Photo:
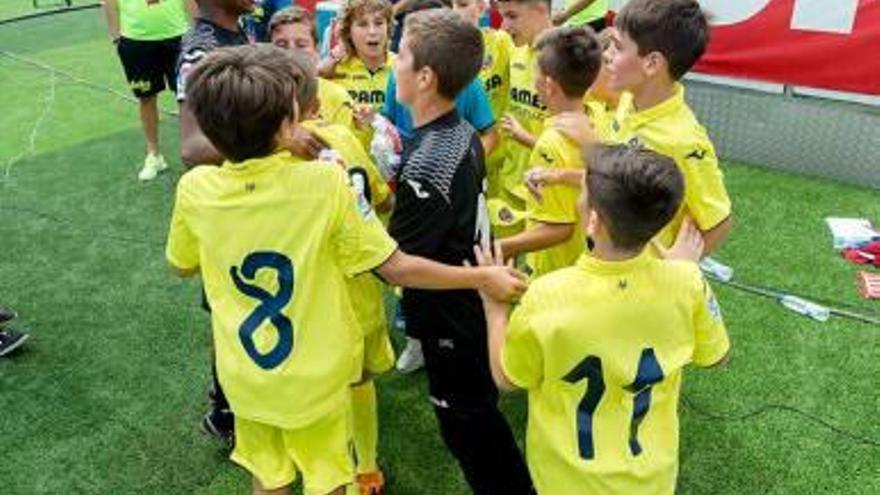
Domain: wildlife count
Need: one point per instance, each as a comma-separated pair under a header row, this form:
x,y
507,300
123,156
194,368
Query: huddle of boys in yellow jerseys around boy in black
x,y
562,260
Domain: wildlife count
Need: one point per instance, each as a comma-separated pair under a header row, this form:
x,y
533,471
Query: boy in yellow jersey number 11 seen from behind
x,y
601,346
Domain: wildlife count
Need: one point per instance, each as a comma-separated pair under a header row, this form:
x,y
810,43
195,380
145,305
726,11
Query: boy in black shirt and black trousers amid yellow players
x,y
440,214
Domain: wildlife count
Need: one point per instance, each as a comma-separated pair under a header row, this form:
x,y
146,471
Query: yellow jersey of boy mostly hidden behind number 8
x,y
365,290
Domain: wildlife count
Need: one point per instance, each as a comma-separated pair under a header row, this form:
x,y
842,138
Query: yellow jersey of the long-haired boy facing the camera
x,y
365,87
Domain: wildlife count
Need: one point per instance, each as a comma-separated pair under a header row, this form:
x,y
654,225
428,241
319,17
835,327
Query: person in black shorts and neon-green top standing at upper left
x,y
147,37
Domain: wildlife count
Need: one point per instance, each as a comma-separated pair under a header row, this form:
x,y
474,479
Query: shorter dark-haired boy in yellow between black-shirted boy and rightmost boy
x,y
568,61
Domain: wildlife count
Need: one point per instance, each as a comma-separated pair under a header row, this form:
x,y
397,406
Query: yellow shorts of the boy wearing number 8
x,y
320,451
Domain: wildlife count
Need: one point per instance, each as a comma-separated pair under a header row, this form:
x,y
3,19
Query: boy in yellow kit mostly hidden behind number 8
x,y
365,291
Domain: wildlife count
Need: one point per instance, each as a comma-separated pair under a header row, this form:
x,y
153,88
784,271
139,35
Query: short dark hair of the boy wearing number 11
x,y
635,192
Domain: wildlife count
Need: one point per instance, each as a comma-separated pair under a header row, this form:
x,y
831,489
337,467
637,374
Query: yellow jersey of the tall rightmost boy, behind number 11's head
x,y
671,129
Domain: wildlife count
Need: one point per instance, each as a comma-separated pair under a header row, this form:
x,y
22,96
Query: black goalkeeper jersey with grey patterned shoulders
x,y
440,214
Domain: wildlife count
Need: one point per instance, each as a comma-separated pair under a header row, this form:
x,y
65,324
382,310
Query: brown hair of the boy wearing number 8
x,y
241,95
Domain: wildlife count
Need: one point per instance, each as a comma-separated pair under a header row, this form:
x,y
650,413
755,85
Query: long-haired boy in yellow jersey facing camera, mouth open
x,y
361,63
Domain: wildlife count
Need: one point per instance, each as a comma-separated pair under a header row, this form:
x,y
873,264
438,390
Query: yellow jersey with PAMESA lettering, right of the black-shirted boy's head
x,y
527,107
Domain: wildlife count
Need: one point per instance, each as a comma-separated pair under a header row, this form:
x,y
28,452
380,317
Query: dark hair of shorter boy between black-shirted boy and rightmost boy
x,y
572,56
